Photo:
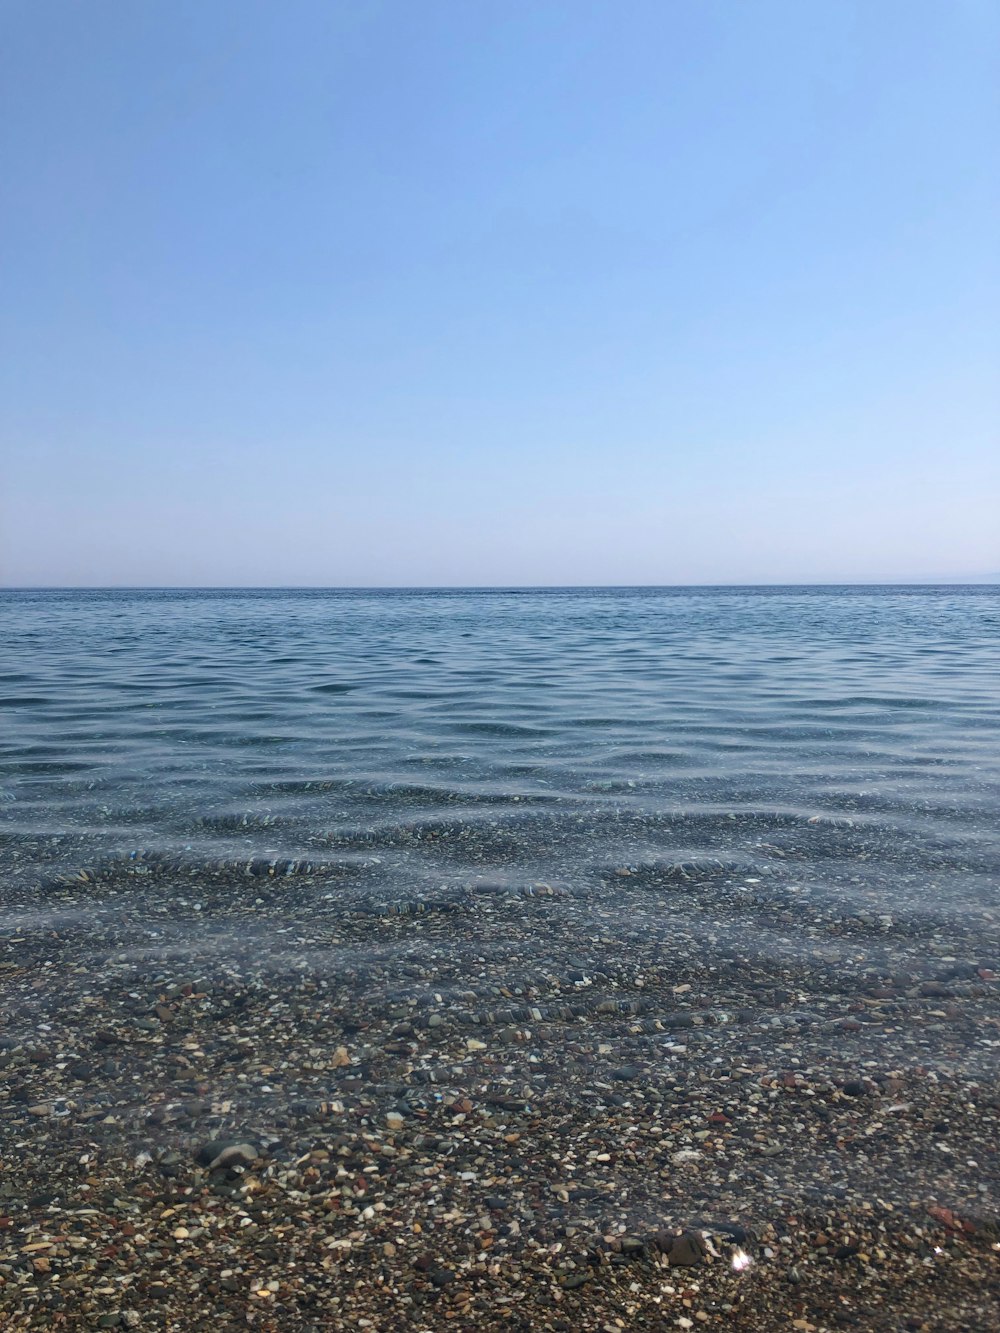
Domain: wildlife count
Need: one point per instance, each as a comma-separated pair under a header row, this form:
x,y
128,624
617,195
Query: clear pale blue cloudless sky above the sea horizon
x,y
499,291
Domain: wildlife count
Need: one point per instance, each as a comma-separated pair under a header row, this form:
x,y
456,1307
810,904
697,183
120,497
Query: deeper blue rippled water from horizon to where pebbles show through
x,y
423,742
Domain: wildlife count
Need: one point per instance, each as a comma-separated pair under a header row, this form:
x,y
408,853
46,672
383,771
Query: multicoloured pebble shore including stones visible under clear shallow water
x,y
241,1096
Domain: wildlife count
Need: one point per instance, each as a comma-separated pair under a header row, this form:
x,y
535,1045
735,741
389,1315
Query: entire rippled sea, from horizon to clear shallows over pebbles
x,y
585,862
